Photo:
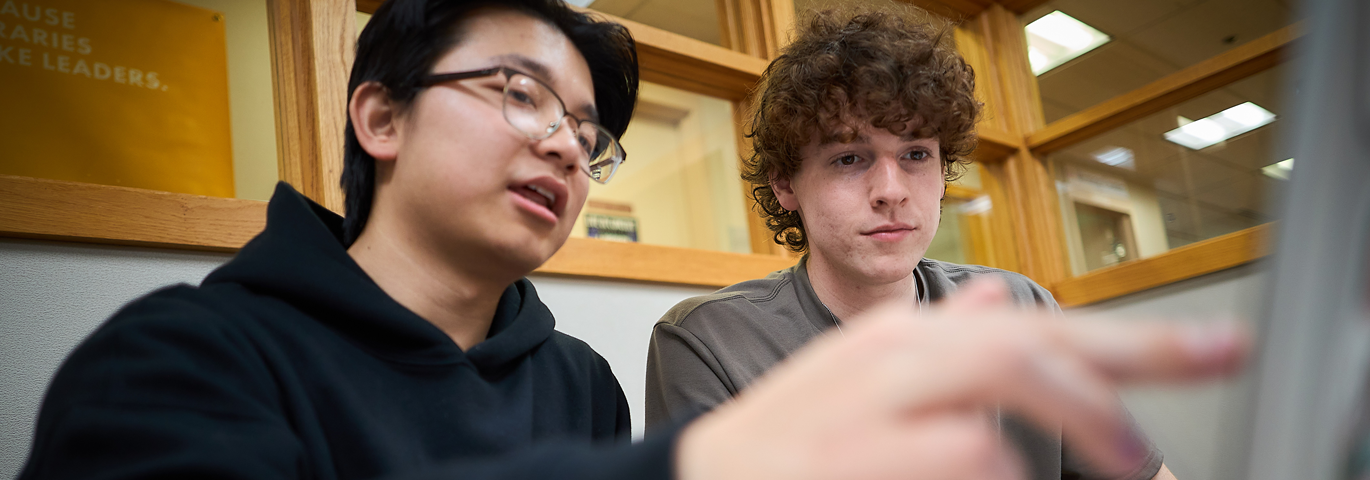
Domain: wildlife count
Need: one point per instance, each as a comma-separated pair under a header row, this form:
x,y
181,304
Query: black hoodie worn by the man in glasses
x,y
290,363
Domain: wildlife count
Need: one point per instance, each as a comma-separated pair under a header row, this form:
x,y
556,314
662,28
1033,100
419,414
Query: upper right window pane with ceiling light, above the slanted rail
x,y
1150,39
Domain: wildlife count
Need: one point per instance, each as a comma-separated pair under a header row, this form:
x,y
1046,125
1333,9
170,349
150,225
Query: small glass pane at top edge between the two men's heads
x,y
695,20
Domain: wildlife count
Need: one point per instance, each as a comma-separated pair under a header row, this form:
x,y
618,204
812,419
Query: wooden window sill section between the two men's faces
x,y
594,259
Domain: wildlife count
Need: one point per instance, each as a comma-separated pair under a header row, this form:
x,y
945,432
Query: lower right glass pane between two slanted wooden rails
x,y
1139,191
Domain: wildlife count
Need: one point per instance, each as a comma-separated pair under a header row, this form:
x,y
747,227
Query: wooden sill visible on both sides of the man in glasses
x,y
75,212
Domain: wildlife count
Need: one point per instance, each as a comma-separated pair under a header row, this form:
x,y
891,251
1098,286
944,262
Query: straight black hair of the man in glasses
x,y
406,39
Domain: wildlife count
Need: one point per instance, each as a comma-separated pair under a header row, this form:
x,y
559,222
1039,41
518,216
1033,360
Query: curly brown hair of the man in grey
x,y
895,68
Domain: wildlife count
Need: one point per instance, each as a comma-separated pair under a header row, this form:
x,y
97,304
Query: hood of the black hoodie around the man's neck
x,y
299,259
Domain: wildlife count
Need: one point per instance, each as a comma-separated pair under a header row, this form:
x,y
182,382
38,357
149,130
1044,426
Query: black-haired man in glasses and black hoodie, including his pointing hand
x,y
403,342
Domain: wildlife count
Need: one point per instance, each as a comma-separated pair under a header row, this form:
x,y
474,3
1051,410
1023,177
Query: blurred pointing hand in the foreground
x,y
904,396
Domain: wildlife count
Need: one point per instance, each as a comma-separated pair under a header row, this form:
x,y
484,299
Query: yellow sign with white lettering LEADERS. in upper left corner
x,y
116,93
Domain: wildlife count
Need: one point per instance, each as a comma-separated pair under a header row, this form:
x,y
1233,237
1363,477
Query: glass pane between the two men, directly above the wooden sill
x,y
680,184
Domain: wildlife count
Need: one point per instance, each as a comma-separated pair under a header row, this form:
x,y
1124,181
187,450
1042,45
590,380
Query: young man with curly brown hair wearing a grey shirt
x,y
860,127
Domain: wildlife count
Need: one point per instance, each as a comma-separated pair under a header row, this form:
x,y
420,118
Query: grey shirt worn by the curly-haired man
x,y
709,349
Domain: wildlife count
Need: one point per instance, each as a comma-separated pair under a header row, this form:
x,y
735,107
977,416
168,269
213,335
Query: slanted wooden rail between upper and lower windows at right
x,y
1238,64
